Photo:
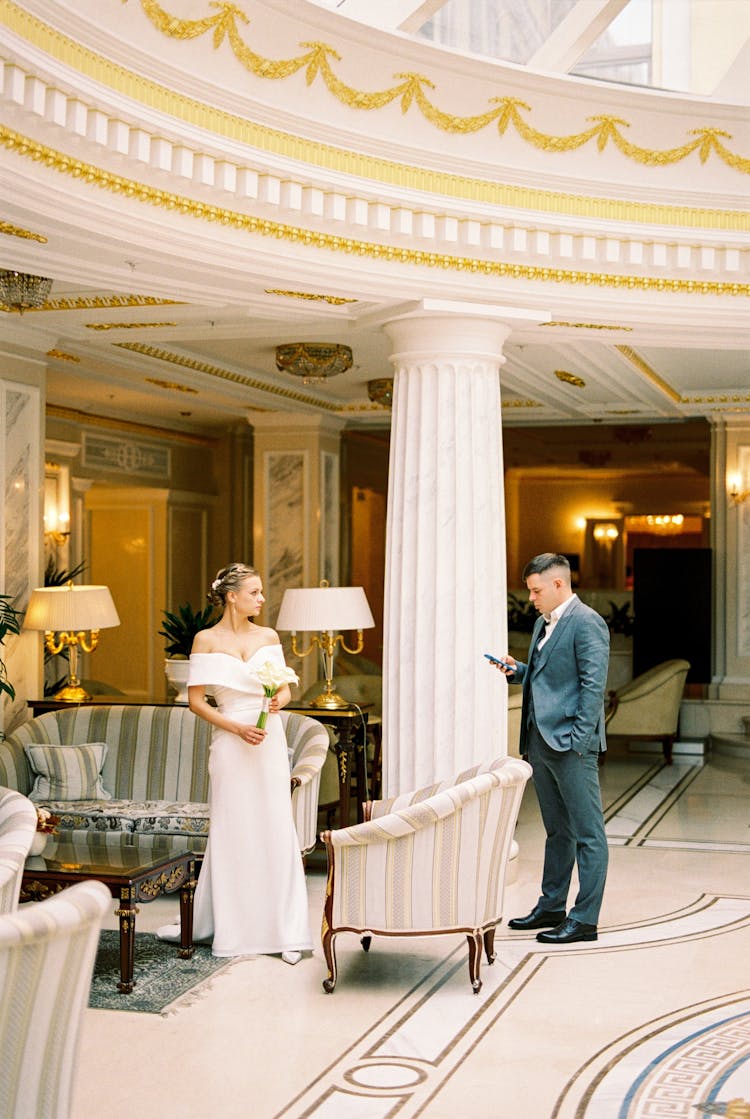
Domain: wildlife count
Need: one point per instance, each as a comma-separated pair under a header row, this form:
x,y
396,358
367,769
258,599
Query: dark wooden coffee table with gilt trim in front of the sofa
x,y
135,872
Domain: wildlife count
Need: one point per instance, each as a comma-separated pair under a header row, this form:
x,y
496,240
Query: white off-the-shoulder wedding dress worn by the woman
x,y
251,896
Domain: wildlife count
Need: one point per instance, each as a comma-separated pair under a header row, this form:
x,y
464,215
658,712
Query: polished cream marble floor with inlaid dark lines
x,y
653,1021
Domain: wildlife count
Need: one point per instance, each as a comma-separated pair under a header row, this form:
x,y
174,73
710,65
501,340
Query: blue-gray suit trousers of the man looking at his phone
x,y
570,800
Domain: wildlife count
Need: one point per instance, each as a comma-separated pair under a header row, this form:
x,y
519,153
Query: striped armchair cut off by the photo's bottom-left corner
x,y
48,953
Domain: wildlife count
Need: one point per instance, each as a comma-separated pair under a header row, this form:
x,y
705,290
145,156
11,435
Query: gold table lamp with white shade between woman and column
x,y
323,612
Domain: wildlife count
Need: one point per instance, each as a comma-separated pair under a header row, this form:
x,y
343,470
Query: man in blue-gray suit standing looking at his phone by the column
x,y
562,734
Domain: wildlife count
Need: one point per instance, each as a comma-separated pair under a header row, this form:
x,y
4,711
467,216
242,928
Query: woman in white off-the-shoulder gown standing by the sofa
x,y
251,896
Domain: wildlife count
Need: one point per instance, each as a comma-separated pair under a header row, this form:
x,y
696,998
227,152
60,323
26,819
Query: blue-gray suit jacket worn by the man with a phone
x,y
568,678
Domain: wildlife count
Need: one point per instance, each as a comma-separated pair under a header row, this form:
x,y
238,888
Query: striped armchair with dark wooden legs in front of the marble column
x,y
426,863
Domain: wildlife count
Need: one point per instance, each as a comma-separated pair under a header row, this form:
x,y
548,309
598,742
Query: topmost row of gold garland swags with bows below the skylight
x,y
412,90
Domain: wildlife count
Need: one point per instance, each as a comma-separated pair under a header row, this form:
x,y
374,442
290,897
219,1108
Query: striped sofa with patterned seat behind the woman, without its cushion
x,y
156,769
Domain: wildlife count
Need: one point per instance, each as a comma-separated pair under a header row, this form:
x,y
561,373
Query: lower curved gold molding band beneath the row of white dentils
x,y
170,201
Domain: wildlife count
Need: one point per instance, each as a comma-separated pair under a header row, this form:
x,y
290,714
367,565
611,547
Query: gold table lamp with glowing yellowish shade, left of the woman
x,y
67,614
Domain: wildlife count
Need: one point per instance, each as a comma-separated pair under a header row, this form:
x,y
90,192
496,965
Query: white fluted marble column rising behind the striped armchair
x,y
446,588
